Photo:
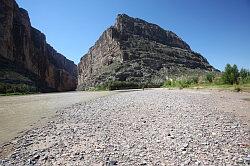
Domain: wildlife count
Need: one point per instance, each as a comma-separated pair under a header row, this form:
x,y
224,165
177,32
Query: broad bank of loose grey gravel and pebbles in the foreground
x,y
151,127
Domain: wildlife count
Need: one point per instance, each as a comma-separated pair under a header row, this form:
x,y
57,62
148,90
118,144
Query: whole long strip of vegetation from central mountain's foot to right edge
x,y
230,78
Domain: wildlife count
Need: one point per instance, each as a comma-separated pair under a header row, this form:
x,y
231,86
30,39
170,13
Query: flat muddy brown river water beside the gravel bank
x,y
20,113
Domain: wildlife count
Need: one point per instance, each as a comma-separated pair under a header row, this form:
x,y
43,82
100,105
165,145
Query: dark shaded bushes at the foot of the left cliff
x,y
6,88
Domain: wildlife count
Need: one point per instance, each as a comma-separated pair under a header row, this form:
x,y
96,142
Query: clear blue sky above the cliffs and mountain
x,y
218,29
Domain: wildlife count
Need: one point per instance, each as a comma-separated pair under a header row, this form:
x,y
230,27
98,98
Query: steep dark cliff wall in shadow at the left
x,y
25,57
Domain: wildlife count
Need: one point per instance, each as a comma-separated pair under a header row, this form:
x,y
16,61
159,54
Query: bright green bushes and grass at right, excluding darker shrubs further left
x,y
230,78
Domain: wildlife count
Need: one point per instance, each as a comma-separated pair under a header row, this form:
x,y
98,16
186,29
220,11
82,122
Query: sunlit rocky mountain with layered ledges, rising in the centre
x,y
138,51
